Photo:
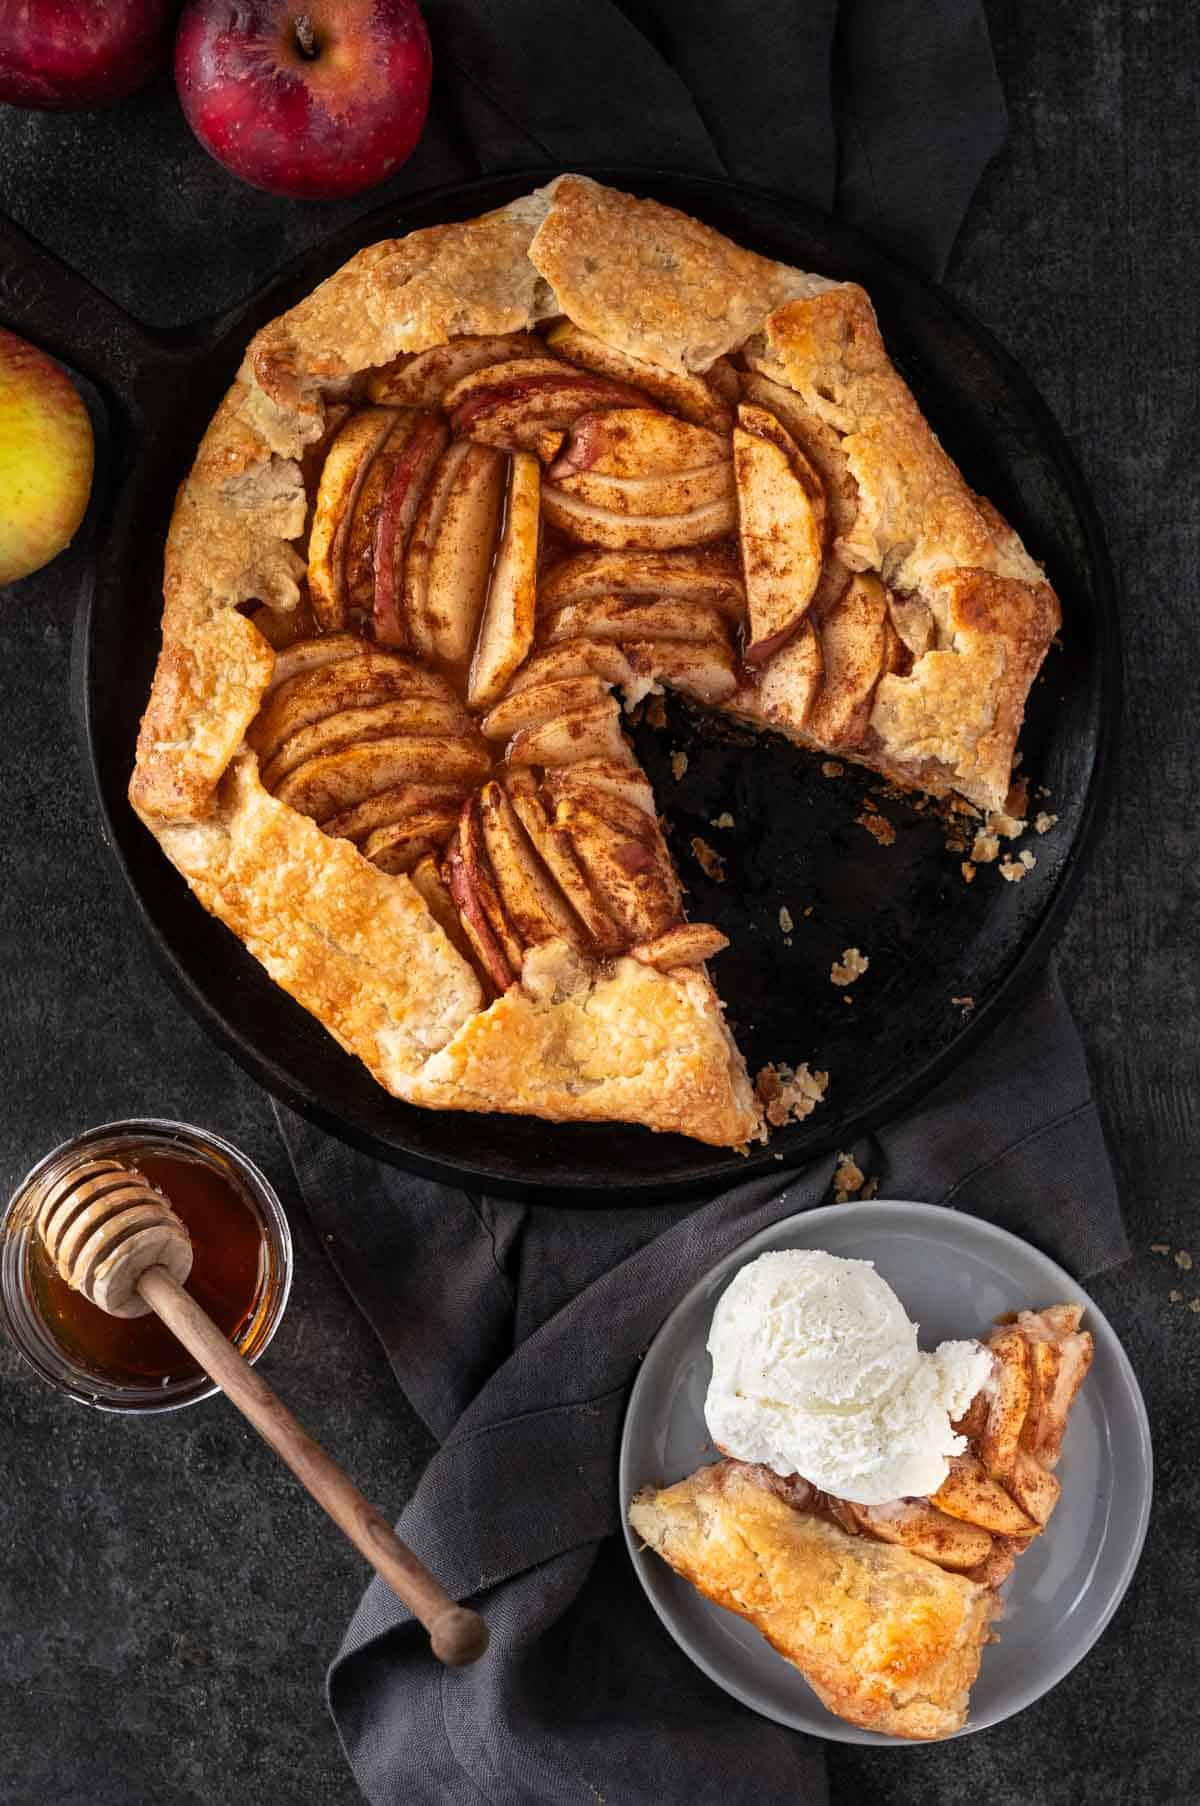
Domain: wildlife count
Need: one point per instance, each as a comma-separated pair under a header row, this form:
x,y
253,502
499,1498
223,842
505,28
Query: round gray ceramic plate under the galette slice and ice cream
x,y
953,1274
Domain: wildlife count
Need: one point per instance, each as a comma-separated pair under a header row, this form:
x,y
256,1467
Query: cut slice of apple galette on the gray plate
x,y
886,1608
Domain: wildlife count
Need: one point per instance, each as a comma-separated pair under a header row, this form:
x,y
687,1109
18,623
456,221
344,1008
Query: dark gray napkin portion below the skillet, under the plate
x,y
516,1332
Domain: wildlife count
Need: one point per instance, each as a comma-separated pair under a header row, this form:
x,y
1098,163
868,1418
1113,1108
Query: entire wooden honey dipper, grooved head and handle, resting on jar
x,y
118,1242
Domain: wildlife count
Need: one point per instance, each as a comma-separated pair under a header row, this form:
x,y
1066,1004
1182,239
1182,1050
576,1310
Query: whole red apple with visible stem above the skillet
x,y
315,102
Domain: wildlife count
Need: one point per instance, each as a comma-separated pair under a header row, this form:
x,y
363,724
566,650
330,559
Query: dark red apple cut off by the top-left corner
x,y
80,53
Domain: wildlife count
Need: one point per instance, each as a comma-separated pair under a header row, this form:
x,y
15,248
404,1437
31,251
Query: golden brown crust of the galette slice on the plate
x,y
885,1639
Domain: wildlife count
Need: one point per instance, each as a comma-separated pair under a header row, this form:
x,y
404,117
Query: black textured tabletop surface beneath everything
x,y
167,1597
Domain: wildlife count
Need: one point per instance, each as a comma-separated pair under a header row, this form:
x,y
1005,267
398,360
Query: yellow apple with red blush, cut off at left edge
x,y
46,458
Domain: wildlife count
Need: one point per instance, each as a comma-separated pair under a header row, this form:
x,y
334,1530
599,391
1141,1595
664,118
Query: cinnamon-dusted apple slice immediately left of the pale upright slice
x,y
460,566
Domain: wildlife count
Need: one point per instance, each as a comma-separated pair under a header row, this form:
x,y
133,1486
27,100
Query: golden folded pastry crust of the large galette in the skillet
x,y
657,286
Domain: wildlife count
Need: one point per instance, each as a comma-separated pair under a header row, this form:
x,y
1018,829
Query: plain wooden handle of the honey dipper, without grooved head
x,y
458,1635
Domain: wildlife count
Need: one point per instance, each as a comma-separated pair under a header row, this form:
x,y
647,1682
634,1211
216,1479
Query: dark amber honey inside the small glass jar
x,y
229,1267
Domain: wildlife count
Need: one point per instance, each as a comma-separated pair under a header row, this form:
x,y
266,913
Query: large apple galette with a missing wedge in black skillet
x,y
483,487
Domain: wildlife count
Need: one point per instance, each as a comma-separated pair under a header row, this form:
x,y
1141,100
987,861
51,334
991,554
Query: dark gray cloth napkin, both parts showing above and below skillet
x,y
516,1332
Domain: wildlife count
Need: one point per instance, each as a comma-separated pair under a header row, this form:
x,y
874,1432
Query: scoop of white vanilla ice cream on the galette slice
x,y
816,1372
